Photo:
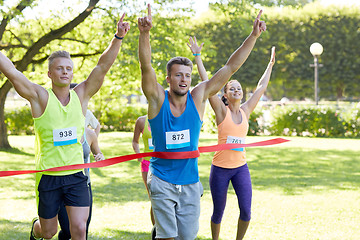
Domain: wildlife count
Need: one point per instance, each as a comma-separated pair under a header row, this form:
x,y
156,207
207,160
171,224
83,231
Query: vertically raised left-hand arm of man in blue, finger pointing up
x,y
152,90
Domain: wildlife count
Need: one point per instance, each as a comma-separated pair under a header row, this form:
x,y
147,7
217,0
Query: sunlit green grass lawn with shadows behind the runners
x,y
307,188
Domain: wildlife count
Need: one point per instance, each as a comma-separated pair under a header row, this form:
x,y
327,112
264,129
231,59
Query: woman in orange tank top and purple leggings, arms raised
x,y
230,165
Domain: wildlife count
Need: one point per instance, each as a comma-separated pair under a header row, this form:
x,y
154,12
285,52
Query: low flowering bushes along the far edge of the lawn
x,y
285,120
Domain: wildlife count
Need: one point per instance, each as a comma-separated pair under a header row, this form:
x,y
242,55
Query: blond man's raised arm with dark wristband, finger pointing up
x,y
92,84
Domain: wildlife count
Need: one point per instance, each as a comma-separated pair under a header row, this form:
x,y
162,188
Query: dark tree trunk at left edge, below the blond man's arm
x,y
4,142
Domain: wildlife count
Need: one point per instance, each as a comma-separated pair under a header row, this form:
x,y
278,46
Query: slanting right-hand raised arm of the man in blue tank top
x,y
236,60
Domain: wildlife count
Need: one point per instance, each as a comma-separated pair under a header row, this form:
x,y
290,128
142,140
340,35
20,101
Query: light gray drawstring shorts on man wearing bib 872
x,y
176,208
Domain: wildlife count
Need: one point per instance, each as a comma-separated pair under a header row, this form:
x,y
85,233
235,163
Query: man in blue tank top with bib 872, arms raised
x,y
176,117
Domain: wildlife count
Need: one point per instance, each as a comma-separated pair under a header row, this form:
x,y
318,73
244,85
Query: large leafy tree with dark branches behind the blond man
x,y
168,39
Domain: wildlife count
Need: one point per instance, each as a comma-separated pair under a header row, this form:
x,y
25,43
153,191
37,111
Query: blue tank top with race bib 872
x,y
176,134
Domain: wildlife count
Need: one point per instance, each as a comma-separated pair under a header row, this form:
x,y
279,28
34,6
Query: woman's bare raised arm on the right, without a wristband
x,y
251,103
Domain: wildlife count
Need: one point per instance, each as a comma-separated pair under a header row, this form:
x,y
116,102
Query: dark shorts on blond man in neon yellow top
x,y
72,190
